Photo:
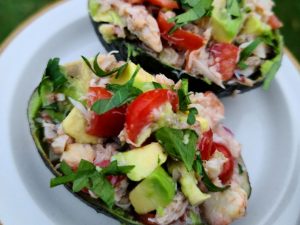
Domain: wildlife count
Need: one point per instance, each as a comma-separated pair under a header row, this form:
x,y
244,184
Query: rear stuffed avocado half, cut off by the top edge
x,y
225,46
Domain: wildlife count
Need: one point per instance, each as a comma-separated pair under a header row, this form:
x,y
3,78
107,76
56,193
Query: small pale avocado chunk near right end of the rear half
x,y
255,26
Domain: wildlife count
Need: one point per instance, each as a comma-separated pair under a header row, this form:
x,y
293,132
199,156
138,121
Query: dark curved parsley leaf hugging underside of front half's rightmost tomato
x,y
207,182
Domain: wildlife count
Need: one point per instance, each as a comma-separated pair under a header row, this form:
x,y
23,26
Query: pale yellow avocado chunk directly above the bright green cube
x,y
145,160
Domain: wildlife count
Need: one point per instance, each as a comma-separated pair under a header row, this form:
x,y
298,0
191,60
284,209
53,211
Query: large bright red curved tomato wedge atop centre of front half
x,y
139,112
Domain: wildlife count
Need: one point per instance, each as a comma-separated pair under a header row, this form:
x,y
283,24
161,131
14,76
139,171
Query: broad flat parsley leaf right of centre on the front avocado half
x,y
180,144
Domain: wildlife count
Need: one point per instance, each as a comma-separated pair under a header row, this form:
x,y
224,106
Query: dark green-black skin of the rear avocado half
x,y
154,66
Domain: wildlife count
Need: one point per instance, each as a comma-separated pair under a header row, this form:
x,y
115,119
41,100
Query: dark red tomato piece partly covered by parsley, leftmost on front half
x,y
108,124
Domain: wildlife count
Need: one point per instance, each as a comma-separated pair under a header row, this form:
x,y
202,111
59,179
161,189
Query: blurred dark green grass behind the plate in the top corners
x,y
13,12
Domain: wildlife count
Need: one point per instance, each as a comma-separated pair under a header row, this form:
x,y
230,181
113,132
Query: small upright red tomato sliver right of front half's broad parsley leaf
x,y
206,146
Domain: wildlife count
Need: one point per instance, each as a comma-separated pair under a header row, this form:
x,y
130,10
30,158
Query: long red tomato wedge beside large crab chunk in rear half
x,y
180,38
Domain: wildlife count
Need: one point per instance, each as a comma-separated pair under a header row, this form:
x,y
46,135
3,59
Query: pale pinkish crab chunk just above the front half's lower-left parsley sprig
x,y
76,152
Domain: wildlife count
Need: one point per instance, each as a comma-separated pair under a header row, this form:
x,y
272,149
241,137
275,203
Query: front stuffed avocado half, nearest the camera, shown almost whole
x,y
138,147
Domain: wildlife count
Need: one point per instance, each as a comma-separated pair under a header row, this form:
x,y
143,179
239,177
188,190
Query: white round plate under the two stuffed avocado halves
x,y
266,124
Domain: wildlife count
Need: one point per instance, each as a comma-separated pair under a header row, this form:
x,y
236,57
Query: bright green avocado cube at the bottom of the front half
x,y
154,192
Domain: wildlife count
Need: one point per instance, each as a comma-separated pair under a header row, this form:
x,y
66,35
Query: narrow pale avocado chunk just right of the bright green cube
x,y
188,183
